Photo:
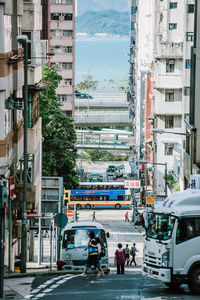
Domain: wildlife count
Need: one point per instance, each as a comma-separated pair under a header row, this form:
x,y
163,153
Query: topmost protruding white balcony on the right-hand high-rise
x,y
169,50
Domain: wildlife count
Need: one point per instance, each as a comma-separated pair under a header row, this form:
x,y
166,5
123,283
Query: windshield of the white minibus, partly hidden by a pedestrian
x,y
78,238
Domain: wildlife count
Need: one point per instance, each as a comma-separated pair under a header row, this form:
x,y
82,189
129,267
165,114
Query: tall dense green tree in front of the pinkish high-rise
x,y
59,152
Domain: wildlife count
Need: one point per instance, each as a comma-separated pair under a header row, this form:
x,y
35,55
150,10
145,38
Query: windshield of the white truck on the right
x,y
160,226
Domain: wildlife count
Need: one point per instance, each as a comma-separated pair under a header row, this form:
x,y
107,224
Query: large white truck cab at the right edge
x,y
172,241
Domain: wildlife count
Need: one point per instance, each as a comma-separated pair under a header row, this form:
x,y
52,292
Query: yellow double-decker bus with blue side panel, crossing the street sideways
x,y
98,195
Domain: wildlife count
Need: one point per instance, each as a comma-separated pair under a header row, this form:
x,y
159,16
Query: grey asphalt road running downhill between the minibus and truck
x,y
131,285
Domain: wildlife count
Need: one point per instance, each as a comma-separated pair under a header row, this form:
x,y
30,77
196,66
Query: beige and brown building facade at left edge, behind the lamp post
x,y
19,17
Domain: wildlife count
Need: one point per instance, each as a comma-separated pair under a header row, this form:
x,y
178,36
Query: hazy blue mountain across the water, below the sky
x,y
109,21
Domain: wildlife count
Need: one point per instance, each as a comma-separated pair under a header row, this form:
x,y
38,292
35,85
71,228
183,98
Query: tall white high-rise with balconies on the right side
x,y
165,80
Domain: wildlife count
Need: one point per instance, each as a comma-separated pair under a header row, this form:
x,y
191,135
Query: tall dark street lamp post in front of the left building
x,y
23,39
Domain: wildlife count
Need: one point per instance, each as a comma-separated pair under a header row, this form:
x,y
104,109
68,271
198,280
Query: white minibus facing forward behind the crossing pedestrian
x,y
75,242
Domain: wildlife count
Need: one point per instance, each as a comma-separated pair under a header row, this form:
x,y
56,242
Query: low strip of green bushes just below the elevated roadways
x,y
99,155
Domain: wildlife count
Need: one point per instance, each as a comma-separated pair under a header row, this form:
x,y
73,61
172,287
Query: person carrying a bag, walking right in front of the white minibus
x,y
92,254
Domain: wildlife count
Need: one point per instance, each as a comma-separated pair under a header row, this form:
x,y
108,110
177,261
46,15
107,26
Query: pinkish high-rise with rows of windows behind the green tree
x,y
62,48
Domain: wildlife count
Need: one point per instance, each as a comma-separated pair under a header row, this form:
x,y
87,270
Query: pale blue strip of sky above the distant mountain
x,y
102,5
